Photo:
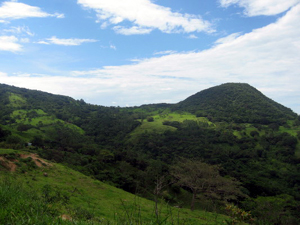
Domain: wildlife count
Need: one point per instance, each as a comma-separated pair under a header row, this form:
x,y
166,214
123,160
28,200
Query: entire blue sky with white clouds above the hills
x,y
134,52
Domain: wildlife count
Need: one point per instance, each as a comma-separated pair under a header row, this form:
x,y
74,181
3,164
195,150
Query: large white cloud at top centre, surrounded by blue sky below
x,y
145,16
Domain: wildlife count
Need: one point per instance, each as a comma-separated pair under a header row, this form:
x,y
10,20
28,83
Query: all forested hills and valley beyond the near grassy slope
x,y
246,144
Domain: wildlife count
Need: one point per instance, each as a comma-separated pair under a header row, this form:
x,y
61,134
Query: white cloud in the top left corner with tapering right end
x,y
16,10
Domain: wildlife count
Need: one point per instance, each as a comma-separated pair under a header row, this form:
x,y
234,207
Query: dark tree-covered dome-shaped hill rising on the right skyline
x,y
236,102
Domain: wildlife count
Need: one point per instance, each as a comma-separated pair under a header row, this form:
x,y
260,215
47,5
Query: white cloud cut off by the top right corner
x,y
261,7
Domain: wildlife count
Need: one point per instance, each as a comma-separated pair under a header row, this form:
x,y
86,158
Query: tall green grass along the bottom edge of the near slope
x,y
21,205
